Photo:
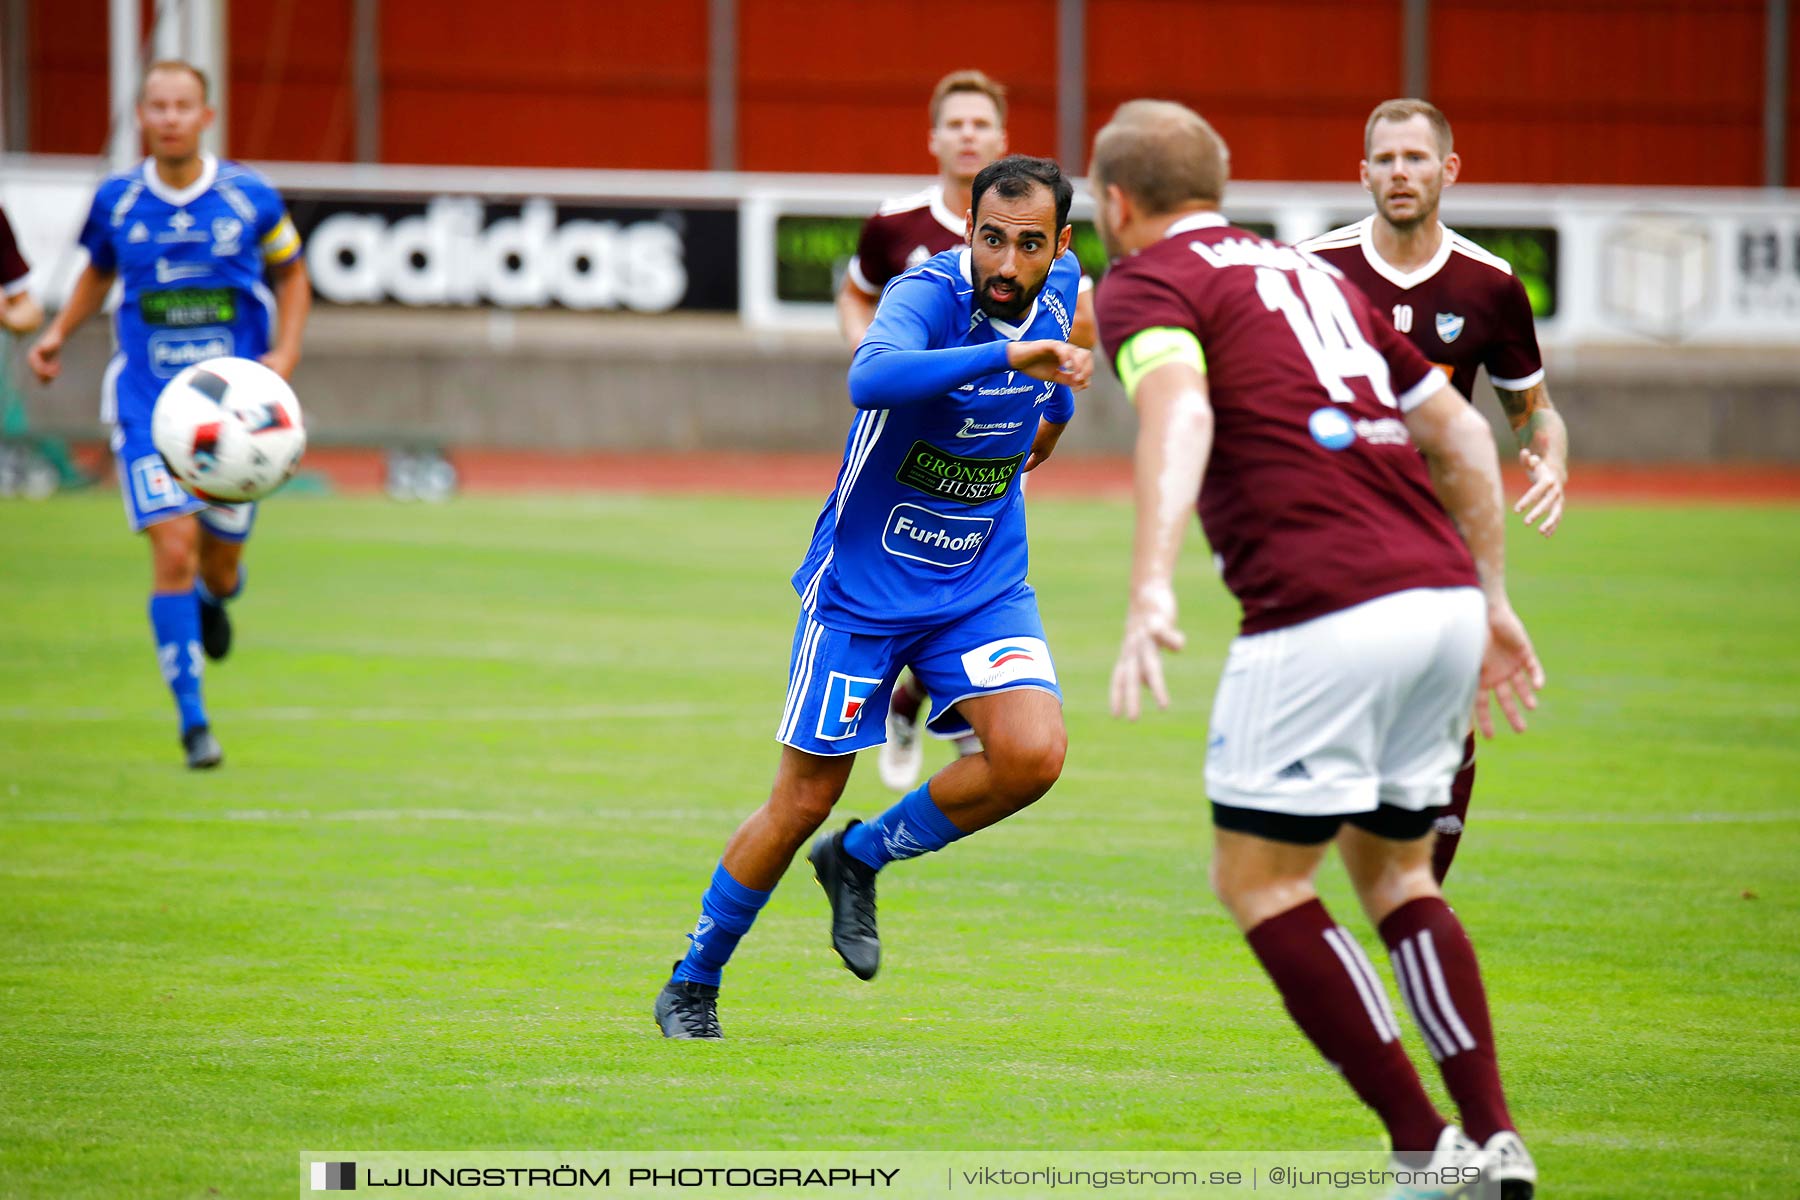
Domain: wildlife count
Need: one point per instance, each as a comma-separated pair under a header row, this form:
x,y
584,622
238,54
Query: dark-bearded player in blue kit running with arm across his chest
x,y
962,384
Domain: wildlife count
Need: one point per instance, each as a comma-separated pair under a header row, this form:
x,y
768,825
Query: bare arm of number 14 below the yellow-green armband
x,y
1174,442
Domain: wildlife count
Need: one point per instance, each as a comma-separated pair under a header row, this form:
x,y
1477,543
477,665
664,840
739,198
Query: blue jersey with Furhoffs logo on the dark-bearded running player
x,y
926,523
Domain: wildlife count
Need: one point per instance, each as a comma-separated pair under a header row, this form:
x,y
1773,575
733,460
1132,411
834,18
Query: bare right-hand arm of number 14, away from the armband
x,y
1461,452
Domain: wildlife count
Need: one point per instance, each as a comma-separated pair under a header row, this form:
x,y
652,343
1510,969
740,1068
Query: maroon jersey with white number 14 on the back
x,y
1315,496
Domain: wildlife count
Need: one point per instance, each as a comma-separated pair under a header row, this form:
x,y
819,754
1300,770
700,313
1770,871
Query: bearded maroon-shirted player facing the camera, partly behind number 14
x,y
1464,310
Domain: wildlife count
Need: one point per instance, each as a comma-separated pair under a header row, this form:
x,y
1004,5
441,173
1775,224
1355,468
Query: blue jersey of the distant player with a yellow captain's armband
x,y
192,269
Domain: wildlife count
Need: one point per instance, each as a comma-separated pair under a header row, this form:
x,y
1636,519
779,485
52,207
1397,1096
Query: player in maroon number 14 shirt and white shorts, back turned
x,y
1354,501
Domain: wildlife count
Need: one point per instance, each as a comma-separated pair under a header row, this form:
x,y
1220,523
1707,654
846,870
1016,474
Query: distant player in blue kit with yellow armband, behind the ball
x,y
192,238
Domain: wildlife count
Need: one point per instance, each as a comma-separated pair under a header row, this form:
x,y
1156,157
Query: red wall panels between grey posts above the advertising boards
x,y
1540,91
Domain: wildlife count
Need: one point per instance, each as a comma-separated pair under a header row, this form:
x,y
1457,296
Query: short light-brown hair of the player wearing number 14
x,y
1164,156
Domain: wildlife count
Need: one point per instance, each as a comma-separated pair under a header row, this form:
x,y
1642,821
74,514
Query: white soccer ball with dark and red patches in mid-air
x,y
229,429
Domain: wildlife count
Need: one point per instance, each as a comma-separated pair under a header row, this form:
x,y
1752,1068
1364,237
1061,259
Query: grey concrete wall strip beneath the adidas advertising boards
x,y
571,382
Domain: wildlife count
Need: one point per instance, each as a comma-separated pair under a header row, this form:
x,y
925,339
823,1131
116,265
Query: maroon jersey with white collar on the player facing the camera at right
x,y
1462,310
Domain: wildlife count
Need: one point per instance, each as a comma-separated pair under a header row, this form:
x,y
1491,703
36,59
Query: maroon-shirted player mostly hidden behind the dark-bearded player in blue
x,y
967,134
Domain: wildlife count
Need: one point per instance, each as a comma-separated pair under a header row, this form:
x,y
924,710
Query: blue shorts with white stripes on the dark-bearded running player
x,y
840,685
